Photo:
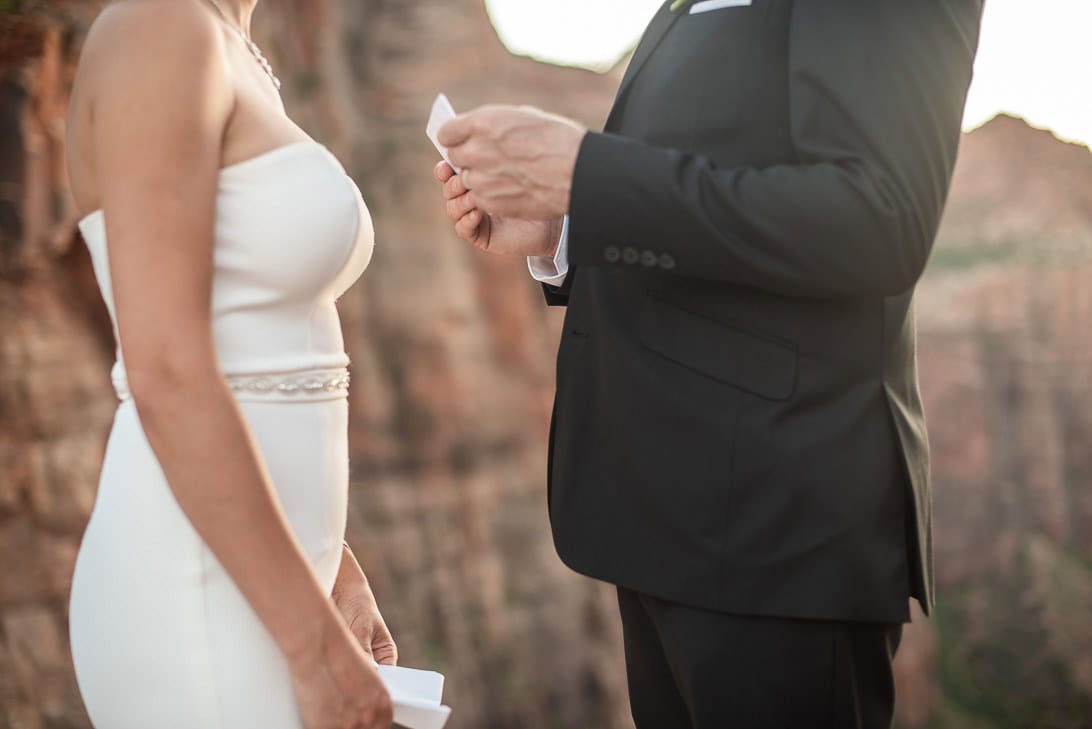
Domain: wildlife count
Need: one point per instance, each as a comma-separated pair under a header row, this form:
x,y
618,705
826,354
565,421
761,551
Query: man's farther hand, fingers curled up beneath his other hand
x,y
493,234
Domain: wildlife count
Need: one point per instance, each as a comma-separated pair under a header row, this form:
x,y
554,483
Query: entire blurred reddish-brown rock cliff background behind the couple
x,y
453,383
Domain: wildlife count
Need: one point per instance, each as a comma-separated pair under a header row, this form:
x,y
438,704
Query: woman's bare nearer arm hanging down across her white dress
x,y
162,102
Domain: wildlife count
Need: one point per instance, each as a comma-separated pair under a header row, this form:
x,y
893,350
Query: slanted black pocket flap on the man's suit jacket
x,y
750,362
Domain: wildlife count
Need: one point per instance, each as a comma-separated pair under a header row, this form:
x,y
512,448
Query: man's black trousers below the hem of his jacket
x,y
695,670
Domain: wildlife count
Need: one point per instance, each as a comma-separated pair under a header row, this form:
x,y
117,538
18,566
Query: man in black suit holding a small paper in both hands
x,y
739,441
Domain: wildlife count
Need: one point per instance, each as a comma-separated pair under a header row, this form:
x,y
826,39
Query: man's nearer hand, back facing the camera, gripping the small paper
x,y
518,161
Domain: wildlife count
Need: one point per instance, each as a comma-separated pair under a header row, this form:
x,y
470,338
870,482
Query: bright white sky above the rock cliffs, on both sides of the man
x,y
1035,57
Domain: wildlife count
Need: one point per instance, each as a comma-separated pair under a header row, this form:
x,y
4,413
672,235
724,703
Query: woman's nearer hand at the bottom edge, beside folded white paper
x,y
337,685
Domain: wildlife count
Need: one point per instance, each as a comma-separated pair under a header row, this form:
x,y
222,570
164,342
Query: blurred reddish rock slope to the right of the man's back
x,y
1007,377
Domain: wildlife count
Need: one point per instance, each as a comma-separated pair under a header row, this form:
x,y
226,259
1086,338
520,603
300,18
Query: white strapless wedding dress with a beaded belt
x,y
161,637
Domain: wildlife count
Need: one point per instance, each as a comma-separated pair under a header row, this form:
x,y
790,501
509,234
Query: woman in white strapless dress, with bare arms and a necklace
x,y
213,589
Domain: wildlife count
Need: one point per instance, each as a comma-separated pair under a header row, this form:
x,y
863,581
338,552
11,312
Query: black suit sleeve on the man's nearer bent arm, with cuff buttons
x,y
876,102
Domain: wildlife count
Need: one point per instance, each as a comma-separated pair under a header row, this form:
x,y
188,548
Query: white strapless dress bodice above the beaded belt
x,y
292,235
